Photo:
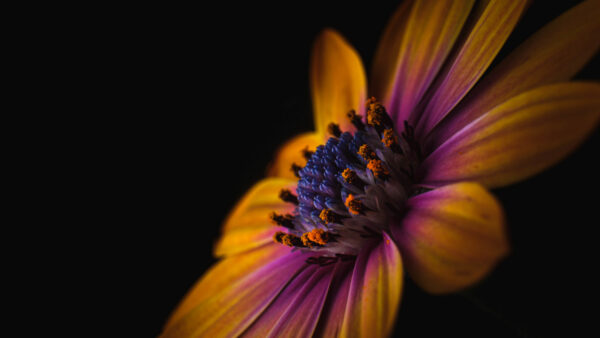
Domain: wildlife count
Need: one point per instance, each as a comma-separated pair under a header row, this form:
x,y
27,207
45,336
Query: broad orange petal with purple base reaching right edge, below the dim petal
x,y
518,138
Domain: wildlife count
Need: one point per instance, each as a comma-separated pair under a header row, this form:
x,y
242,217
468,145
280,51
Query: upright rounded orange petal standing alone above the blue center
x,y
338,82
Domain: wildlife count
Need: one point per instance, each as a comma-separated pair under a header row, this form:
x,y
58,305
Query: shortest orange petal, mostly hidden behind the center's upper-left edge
x,y
292,152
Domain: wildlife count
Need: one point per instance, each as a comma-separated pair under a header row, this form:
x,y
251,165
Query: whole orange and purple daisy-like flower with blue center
x,y
382,196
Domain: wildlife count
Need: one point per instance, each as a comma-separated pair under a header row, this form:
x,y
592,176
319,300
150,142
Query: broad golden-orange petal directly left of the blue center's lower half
x,y
249,224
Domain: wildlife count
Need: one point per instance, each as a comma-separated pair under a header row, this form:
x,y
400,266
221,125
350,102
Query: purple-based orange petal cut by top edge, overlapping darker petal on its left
x,y
430,33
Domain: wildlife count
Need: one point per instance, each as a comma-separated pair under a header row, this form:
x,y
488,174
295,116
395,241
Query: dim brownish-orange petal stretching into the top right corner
x,y
554,54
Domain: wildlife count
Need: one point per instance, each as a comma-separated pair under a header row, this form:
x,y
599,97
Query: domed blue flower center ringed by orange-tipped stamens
x,y
351,188
